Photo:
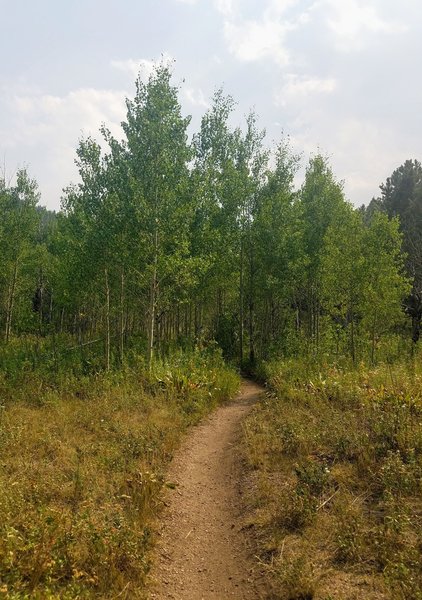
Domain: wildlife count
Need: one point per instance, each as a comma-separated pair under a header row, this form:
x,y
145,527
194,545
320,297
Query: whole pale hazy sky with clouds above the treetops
x,y
340,77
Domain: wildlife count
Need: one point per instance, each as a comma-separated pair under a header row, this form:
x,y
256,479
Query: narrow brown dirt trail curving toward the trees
x,y
202,552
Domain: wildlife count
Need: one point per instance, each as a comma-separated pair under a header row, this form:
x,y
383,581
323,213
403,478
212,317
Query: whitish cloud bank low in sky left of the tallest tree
x,y
45,129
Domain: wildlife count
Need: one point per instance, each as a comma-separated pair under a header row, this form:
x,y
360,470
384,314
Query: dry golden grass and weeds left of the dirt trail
x,y
81,469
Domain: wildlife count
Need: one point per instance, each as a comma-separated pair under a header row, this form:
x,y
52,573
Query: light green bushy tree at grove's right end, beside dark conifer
x,y
363,282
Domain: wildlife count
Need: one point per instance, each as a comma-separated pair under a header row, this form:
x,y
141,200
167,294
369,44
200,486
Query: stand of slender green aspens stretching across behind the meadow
x,y
169,242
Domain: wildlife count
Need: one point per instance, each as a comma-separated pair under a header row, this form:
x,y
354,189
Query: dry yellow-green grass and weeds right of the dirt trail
x,y
337,459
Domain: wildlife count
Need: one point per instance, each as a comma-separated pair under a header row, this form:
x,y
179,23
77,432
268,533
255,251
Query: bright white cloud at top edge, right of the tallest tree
x,y
350,23
